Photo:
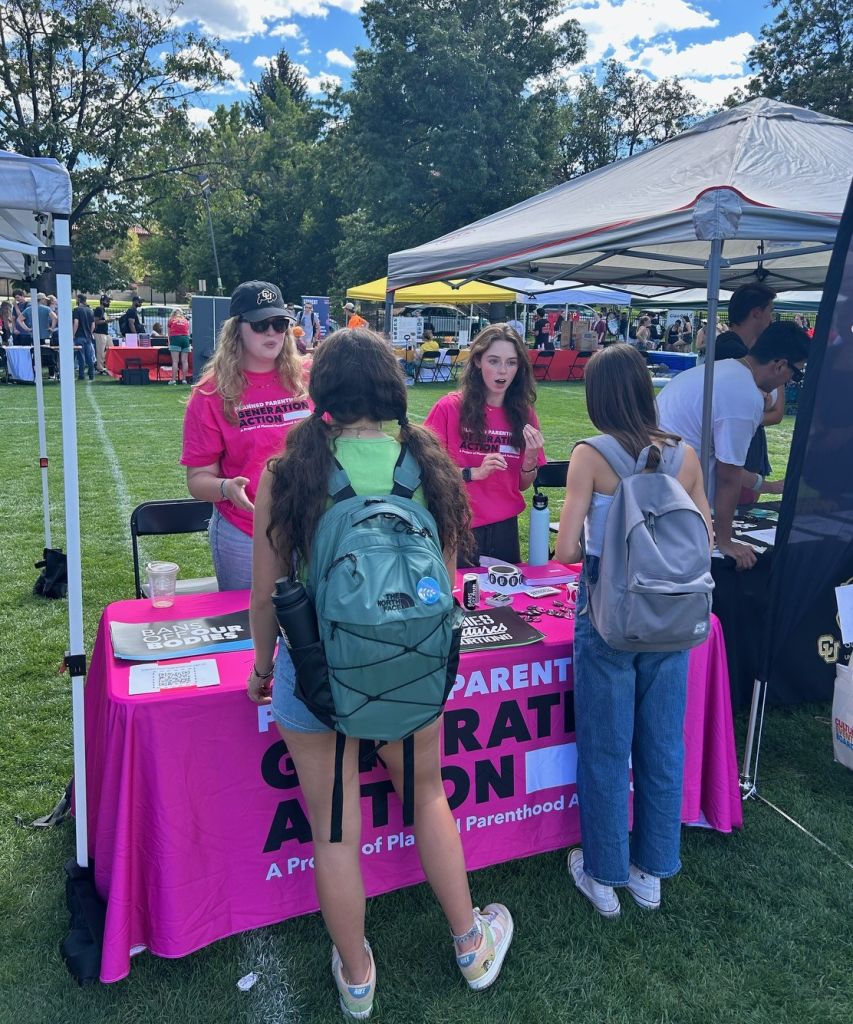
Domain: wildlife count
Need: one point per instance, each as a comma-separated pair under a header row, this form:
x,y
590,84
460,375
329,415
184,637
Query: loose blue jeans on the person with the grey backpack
x,y
628,705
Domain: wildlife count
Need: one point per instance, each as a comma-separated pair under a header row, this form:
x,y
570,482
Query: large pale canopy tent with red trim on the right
x,y
753,194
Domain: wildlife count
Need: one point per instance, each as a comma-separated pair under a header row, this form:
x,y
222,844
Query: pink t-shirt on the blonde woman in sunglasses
x,y
265,415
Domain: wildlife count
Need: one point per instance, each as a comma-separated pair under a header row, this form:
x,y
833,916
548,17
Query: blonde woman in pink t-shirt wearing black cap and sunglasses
x,y
251,394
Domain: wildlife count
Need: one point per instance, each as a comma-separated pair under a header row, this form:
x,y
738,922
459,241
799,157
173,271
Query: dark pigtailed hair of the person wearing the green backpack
x,y
355,376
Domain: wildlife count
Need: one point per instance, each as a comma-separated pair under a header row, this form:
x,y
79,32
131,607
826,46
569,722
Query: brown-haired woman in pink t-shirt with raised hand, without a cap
x,y
492,433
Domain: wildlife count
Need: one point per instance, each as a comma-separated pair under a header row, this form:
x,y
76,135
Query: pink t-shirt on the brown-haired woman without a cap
x,y
499,497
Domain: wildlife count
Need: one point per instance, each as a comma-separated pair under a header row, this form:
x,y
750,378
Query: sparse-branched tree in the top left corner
x,y
100,86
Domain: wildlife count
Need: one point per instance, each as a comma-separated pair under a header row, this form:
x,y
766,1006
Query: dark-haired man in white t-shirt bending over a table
x,y
740,387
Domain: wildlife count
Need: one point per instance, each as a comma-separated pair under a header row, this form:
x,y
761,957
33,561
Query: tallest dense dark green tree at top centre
x,y
449,119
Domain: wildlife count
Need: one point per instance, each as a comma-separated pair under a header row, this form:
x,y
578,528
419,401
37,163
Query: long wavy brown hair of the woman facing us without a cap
x,y
521,395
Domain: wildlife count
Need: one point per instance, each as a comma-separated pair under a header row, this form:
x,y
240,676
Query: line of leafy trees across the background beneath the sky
x,y
455,110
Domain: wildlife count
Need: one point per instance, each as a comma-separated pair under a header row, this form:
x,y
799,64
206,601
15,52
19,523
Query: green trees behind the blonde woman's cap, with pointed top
x,y
273,211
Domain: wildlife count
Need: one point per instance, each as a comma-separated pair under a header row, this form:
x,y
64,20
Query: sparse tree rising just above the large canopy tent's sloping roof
x,y
623,115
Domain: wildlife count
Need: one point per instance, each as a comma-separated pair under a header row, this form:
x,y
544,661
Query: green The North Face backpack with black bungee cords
x,y
389,625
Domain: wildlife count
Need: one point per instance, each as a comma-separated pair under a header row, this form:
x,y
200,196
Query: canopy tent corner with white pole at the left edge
x,y
35,206
